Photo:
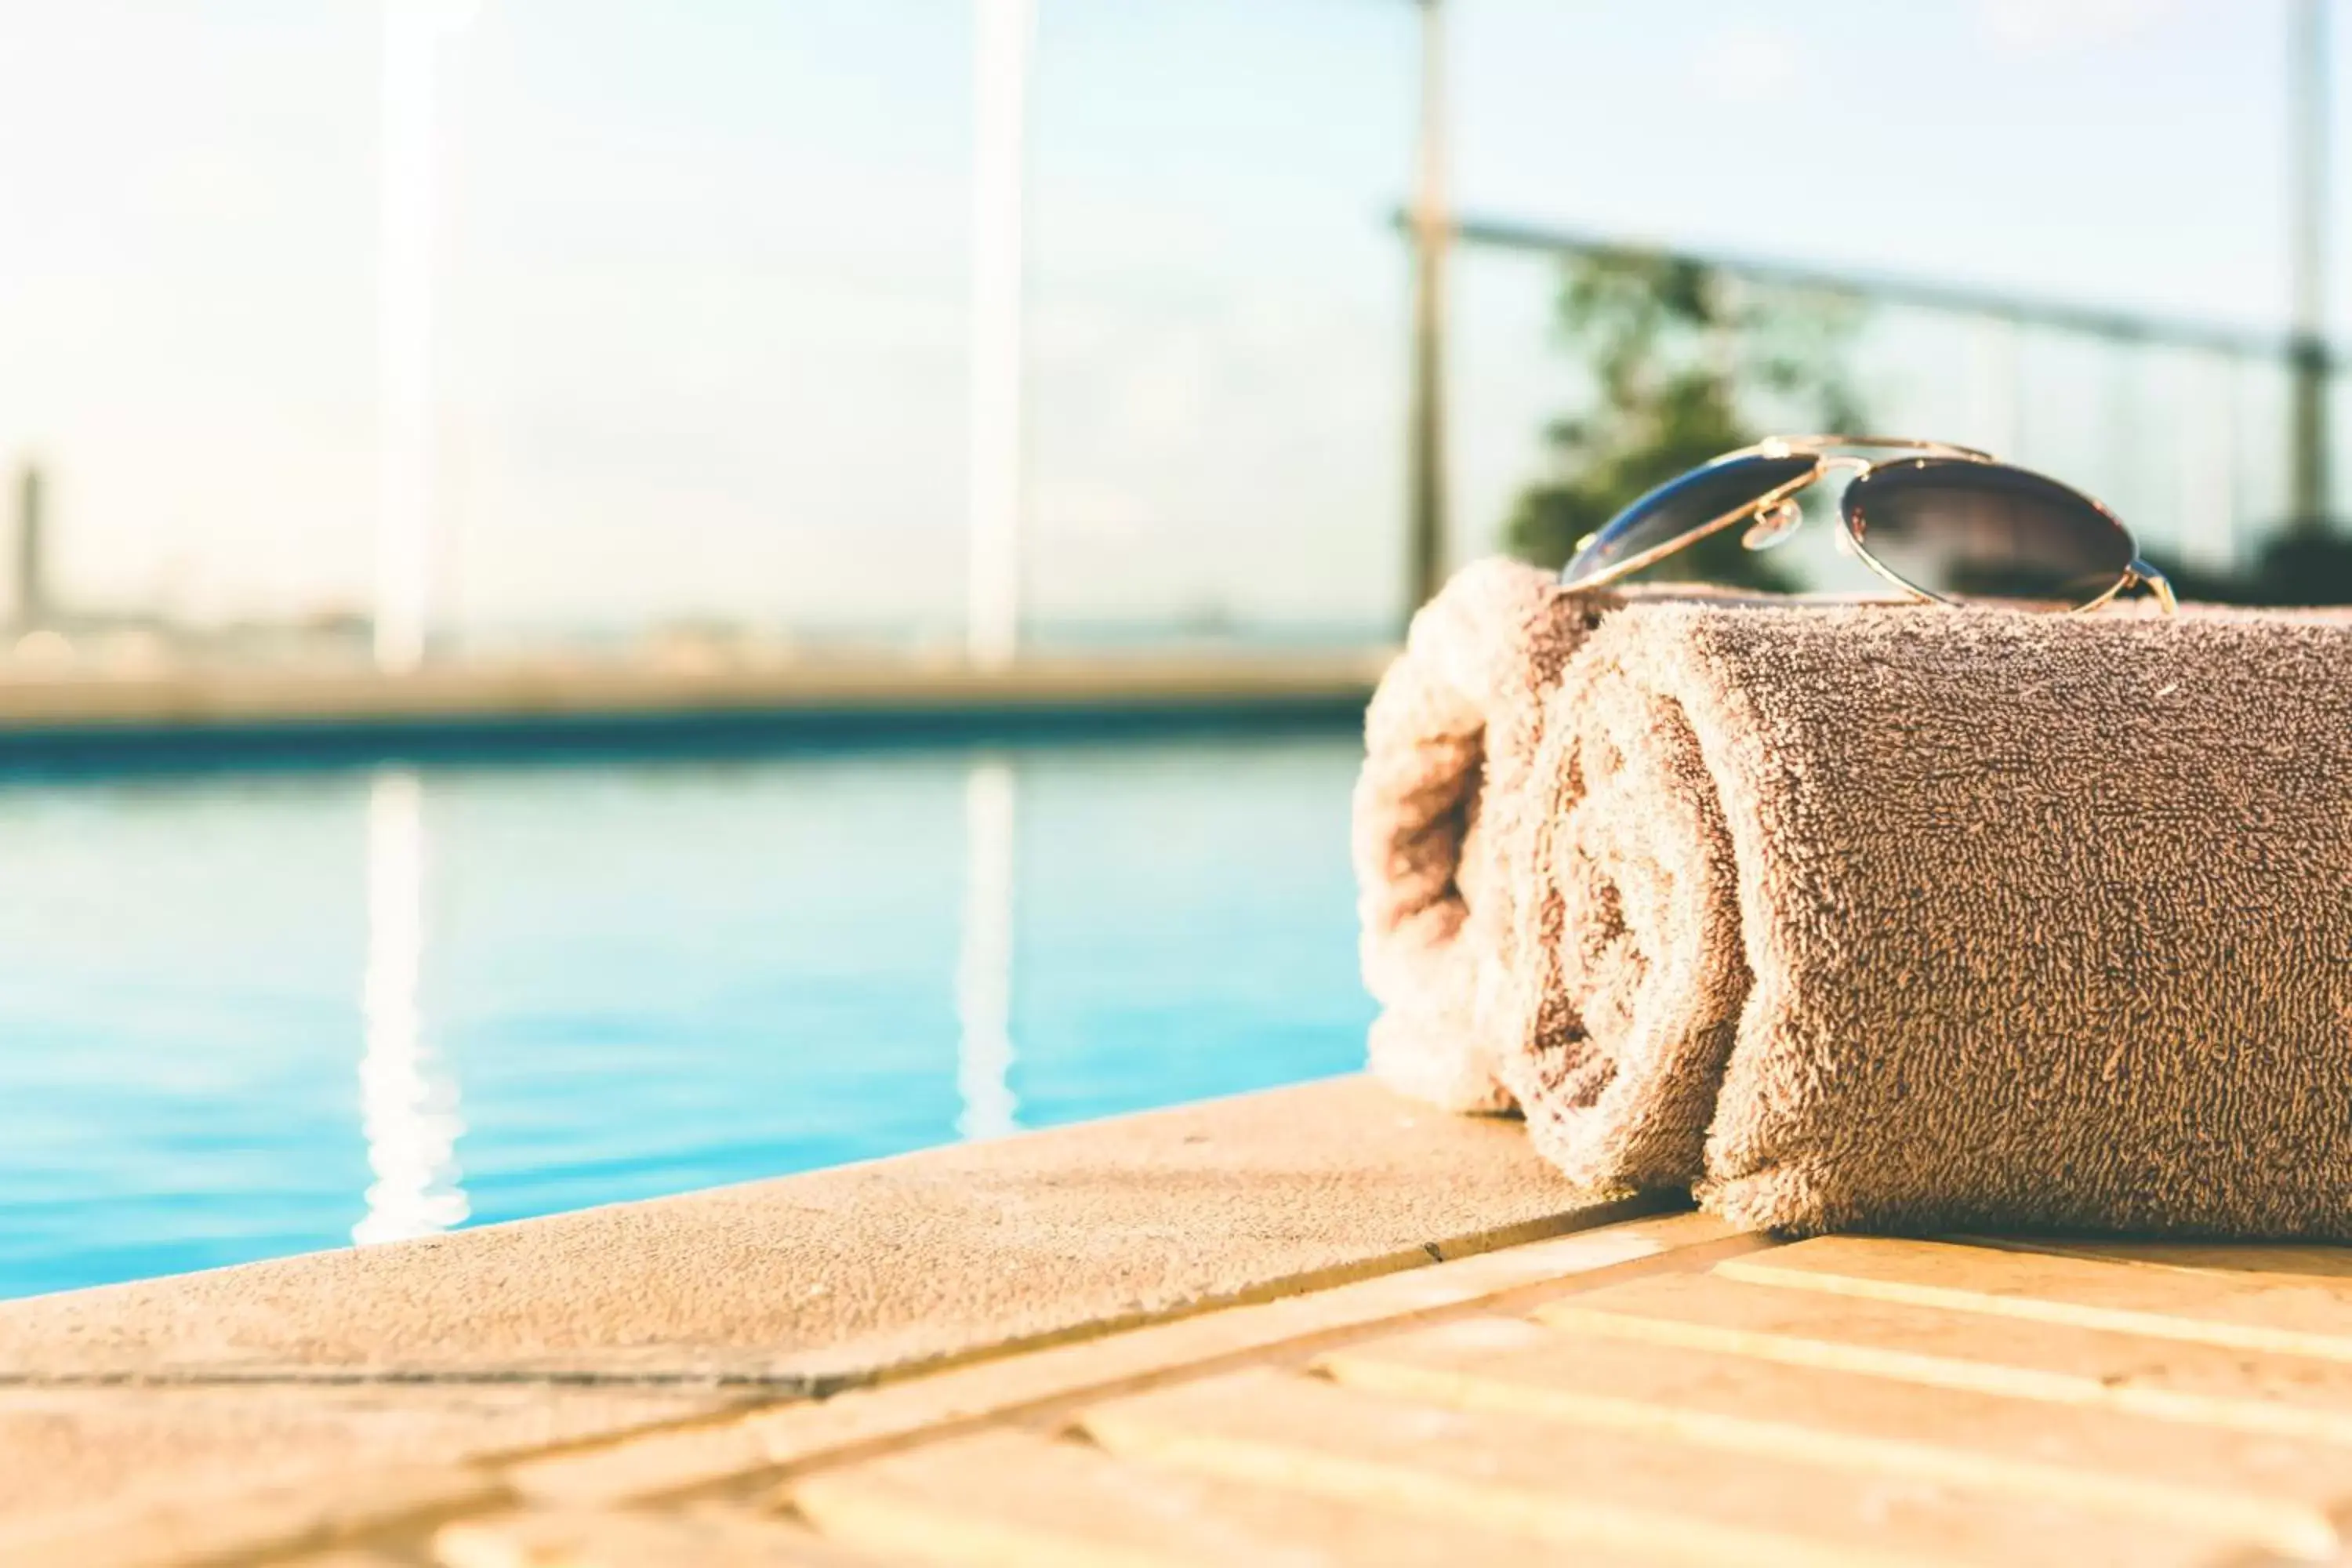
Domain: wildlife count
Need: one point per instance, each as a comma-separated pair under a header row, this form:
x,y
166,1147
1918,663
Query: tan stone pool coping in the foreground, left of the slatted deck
x,y
328,1386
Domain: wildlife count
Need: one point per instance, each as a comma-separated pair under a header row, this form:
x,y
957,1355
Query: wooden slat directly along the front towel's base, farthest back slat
x,y
2297,1315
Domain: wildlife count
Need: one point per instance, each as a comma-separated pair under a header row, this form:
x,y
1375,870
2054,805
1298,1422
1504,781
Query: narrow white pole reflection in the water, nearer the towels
x,y
984,970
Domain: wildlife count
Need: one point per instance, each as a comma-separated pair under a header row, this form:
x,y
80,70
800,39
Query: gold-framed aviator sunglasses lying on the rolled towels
x,y
1942,523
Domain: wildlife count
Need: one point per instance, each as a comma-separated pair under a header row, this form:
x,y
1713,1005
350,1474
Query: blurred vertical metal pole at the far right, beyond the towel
x,y
2308,133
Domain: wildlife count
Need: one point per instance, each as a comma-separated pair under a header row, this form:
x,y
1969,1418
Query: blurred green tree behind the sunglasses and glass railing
x,y
1681,356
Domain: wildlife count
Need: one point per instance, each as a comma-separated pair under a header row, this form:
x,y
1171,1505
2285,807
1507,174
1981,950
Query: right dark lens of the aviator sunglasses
x,y
1986,532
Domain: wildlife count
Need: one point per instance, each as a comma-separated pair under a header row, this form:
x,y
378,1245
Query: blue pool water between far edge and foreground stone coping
x,y
255,1014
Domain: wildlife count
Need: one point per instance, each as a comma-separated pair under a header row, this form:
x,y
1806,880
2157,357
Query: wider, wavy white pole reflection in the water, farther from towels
x,y
408,1097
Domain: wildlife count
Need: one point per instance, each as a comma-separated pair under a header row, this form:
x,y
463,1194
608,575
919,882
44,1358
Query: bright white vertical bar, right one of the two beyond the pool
x,y
1003,41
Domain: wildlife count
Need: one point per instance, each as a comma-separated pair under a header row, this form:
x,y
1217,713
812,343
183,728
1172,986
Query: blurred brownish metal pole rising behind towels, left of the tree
x,y
1434,236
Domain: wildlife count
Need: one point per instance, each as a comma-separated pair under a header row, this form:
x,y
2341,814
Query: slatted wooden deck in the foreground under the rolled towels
x,y
1645,1393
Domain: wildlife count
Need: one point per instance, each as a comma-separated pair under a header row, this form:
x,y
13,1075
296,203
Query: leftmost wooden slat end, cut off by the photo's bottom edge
x,y
704,1536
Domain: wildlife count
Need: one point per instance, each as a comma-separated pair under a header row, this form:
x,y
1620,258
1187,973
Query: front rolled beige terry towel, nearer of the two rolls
x,y
1942,920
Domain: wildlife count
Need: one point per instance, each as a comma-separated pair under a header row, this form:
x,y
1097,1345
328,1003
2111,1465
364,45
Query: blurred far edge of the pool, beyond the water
x,y
570,706
